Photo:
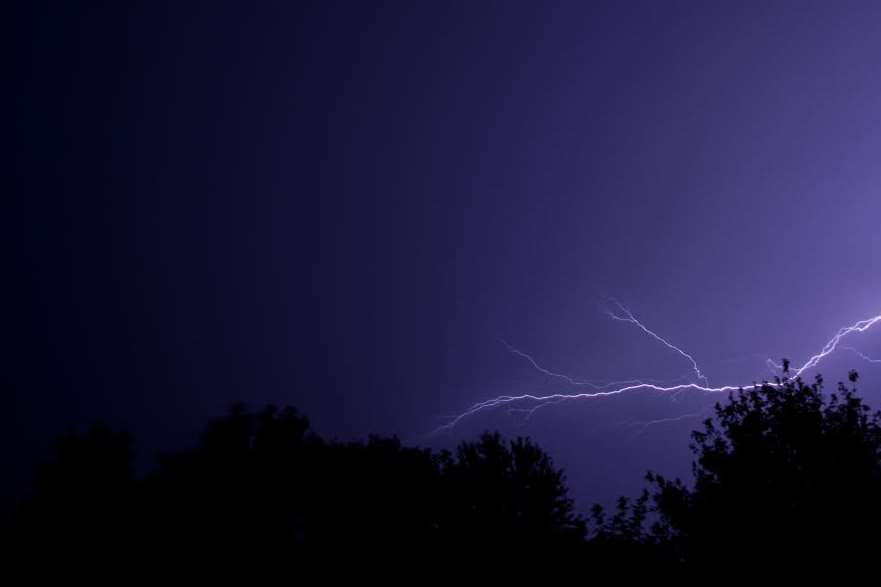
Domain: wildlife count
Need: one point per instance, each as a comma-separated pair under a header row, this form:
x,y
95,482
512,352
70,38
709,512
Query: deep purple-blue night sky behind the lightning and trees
x,y
346,207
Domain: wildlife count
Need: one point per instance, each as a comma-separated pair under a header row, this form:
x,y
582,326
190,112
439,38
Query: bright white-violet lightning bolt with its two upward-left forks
x,y
549,399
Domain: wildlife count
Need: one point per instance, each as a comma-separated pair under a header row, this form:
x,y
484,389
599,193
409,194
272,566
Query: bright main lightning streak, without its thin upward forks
x,y
828,348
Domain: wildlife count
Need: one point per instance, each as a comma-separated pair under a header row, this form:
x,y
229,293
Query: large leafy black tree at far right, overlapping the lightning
x,y
784,474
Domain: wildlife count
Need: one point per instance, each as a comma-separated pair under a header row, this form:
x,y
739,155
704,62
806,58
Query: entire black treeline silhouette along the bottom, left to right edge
x,y
783,474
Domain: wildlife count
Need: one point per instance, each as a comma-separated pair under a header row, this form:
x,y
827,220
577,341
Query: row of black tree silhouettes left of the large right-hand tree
x,y
261,486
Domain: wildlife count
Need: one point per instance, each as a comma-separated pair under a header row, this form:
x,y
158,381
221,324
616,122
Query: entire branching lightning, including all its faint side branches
x,y
618,388
